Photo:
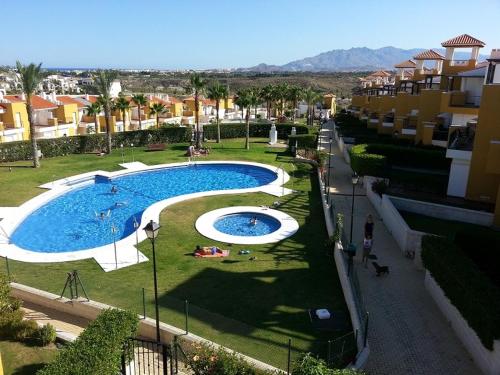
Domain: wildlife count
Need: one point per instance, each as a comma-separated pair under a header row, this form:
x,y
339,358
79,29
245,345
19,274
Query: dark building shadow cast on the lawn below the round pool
x,y
275,299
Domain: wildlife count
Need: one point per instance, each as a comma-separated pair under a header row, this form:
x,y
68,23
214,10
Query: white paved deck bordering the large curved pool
x,y
126,250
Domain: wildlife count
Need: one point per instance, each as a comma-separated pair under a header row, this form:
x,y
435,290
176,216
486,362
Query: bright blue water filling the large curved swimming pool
x,y
73,220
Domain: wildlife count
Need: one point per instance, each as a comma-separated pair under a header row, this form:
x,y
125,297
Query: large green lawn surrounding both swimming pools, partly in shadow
x,y
249,306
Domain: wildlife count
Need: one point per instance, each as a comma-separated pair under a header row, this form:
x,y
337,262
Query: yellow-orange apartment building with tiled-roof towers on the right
x,y
441,101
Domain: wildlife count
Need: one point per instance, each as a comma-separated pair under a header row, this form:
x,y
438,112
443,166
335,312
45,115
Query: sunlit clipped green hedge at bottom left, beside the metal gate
x,y
99,348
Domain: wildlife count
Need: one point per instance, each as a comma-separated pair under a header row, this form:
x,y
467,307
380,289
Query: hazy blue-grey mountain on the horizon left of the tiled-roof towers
x,y
353,59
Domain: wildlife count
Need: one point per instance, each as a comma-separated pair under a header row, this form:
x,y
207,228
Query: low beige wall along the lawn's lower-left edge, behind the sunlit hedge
x,y
91,309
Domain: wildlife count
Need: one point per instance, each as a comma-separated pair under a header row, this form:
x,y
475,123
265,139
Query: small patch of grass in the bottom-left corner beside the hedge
x,y
22,359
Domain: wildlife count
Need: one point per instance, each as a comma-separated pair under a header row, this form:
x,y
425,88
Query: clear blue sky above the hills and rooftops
x,y
197,34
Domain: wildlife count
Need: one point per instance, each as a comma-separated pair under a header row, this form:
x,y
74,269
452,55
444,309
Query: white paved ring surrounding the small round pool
x,y
205,225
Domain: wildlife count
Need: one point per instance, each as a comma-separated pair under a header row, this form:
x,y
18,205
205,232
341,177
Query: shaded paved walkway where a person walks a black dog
x,y
407,332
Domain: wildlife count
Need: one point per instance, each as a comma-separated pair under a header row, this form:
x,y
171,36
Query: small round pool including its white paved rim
x,y
246,225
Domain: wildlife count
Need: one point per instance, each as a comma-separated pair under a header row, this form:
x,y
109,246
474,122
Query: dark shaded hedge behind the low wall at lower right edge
x,y
467,288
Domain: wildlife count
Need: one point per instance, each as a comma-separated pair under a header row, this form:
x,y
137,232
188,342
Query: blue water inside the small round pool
x,y
240,224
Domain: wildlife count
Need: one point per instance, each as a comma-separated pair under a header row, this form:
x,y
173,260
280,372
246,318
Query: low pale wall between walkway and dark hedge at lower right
x,y
488,361
